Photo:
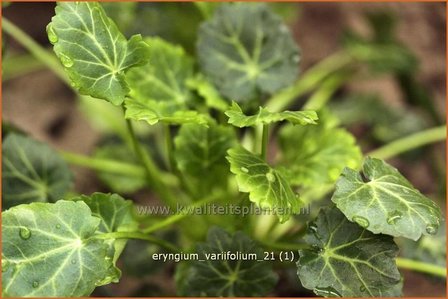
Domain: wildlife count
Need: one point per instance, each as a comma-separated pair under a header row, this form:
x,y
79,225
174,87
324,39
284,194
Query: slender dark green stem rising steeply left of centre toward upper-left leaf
x,y
152,172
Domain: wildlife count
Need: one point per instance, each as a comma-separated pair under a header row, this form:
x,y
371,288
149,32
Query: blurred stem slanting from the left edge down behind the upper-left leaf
x,y
35,49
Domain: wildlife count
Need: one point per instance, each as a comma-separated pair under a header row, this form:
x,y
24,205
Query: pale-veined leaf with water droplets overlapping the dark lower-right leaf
x,y
383,201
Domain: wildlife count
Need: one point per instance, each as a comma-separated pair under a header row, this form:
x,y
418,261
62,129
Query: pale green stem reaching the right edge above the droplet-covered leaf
x,y
410,142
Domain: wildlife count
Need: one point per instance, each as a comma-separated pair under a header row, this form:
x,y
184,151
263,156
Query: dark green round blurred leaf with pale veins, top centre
x,y
246,51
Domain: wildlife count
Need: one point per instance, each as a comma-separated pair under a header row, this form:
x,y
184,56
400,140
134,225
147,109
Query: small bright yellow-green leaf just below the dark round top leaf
x,y
206,90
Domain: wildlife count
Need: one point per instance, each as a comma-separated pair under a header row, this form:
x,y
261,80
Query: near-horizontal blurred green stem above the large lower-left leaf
x,y
113,167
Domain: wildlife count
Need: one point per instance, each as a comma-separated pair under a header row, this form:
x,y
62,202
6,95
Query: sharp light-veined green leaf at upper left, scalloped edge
x,y
94,52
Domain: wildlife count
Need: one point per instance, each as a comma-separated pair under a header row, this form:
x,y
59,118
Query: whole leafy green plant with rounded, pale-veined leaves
x,y
217,114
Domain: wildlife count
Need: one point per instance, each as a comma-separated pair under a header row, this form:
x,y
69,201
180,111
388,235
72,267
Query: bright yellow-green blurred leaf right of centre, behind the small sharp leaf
x,y
316,155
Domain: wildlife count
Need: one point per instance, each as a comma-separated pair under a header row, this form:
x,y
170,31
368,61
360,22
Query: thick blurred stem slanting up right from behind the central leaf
x,y
309,80
